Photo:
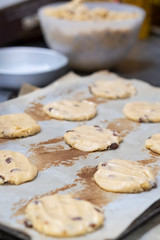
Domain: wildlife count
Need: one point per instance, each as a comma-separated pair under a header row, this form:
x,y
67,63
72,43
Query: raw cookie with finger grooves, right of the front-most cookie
x,y
124,176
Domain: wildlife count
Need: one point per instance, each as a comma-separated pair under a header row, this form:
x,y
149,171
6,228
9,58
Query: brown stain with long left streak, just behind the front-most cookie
x,y
90,191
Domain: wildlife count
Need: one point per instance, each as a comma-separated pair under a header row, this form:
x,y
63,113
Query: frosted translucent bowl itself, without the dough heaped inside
x,y
92,45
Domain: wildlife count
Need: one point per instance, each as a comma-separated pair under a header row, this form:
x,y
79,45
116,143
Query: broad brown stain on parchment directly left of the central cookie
x,y
49,153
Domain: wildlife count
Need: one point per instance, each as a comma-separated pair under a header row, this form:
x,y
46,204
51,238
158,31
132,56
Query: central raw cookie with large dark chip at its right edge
x,y
92,138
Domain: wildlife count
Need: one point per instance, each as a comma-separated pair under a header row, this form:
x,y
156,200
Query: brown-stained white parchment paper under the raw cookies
x,y
65,170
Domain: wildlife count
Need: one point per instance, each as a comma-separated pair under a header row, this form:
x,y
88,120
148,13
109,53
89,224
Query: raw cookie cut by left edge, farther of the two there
x,y
17,125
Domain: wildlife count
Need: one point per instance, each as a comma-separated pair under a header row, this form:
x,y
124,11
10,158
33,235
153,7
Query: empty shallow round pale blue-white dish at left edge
x,y
37,66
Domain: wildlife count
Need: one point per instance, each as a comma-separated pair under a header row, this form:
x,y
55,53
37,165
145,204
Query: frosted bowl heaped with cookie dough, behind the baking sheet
x,y
93,35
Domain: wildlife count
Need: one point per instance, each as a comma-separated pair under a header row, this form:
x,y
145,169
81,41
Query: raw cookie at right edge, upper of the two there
x,y
142,111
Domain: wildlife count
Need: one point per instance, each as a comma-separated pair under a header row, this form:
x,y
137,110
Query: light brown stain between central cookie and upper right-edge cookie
x,y
123,126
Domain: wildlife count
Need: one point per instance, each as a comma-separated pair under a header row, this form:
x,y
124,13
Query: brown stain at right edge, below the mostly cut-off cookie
x,y
152,161
